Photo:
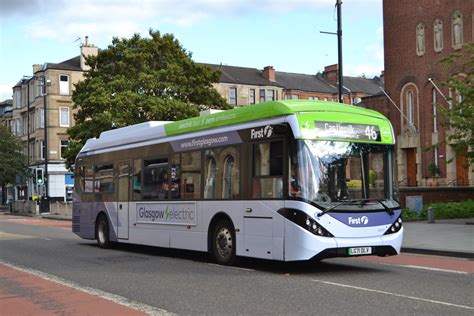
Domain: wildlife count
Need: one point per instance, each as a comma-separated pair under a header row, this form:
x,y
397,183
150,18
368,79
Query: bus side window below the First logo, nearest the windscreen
x,y
268,170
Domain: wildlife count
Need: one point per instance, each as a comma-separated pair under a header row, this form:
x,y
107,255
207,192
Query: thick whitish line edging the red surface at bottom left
x,y
150,310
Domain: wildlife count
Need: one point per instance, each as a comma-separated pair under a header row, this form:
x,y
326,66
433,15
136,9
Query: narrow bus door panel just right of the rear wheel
x,y
123,191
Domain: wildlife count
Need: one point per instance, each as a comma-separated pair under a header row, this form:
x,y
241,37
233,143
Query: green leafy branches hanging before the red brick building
x,y
460,115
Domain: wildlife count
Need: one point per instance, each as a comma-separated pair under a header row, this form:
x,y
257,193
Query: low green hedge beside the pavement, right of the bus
x,y
449,210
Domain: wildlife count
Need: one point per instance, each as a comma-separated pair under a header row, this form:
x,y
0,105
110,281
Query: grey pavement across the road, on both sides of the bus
x,y
452,238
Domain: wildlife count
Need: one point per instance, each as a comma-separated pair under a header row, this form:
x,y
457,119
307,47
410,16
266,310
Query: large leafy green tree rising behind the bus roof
x,y
136,80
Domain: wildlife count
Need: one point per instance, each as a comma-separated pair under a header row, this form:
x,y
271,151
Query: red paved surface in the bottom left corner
x,y
25,294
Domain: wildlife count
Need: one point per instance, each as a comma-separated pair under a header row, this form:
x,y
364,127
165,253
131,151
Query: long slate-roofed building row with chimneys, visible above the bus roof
x,y
243,86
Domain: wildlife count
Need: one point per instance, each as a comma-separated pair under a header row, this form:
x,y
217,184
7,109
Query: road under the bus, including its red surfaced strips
x,y
45,268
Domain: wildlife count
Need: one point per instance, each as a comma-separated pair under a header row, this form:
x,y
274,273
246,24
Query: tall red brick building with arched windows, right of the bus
x,y
416,35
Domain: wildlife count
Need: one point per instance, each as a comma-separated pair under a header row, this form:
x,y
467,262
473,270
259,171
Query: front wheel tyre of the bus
x,y
223,242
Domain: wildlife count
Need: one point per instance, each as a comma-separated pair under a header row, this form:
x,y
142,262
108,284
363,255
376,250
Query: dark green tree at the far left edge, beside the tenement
x,y
12,160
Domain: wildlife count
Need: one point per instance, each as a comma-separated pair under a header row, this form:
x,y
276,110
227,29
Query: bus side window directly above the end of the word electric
x,y
191,175
